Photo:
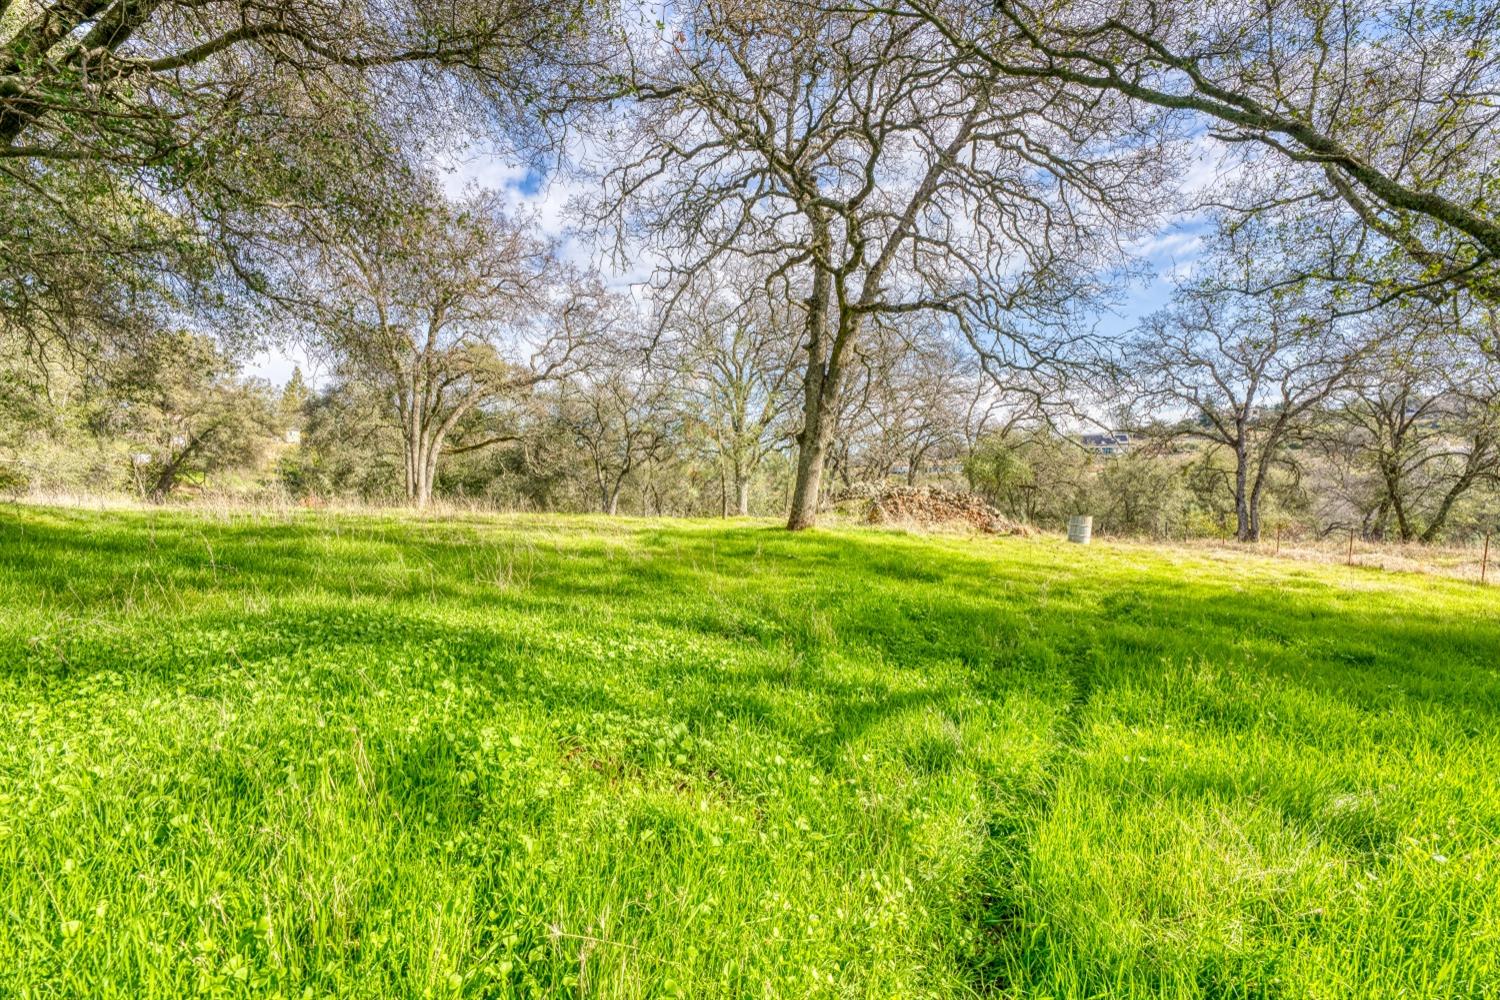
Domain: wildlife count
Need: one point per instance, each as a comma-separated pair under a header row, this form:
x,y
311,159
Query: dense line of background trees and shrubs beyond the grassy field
x,y
1405,448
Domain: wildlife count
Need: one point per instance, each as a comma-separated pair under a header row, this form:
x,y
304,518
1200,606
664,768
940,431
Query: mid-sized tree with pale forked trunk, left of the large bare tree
x,y
445,308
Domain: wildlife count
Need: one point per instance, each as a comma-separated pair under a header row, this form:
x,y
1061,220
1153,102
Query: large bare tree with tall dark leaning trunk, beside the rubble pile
x,y
875,172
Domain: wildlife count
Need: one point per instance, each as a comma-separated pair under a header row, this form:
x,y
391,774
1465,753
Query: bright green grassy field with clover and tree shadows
x,y
346,756
